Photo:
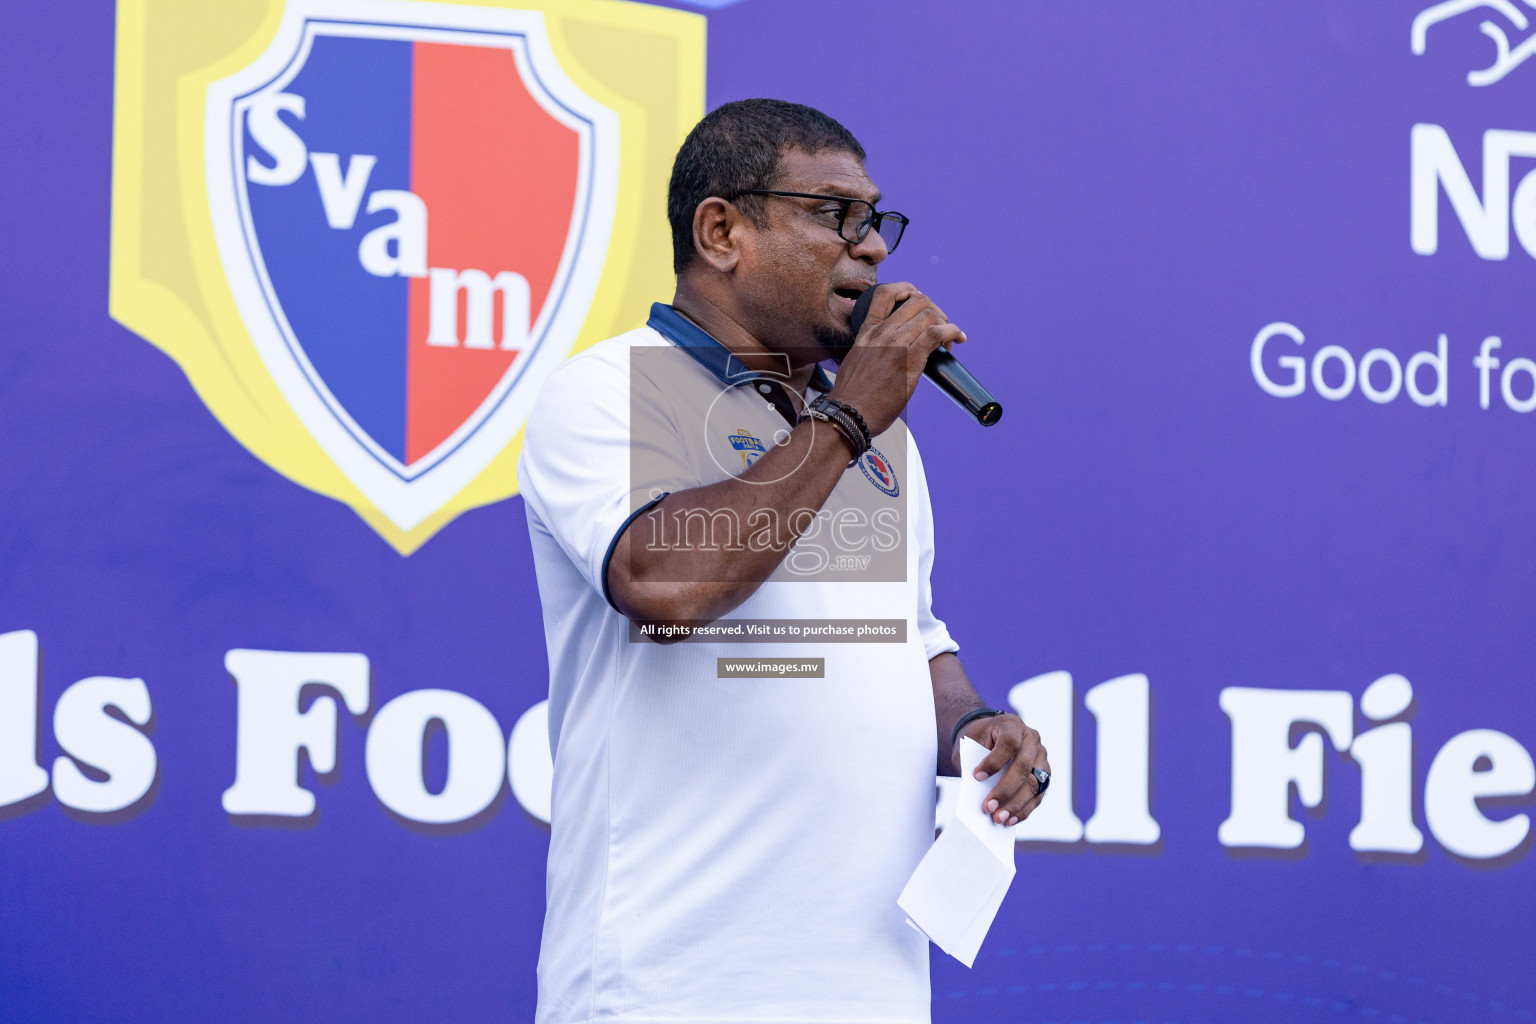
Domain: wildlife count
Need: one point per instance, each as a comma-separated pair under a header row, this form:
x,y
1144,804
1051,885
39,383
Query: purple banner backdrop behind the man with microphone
x,y
1114,200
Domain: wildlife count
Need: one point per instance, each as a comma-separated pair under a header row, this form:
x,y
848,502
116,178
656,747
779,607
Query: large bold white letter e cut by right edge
x,y
1455,785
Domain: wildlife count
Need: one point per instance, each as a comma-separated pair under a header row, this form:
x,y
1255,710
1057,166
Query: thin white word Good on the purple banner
x,y
1348,375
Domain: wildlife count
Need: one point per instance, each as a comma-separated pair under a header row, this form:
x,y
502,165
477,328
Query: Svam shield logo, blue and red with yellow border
x,y
417,211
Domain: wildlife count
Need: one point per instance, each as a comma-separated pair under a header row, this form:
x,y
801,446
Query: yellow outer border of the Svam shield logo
x,y
168,283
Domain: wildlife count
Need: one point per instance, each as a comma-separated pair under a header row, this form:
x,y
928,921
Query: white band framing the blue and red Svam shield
x,y
409,495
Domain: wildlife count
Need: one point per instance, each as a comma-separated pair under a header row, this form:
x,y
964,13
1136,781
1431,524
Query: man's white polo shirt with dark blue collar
x,y
726,850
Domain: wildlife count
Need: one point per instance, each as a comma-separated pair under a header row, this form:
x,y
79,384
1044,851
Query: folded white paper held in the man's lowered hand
x,y
962,880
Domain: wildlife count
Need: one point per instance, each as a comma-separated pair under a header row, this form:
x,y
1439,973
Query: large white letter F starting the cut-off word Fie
x,y
1265,765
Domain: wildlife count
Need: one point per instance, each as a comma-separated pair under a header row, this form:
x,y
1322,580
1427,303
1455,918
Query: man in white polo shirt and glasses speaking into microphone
x,y
737,810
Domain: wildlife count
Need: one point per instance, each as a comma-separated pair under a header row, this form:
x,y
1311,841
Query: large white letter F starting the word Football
x,y
271,732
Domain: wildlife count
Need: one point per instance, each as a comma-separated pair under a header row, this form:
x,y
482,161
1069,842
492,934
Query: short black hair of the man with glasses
x,y
737,148
